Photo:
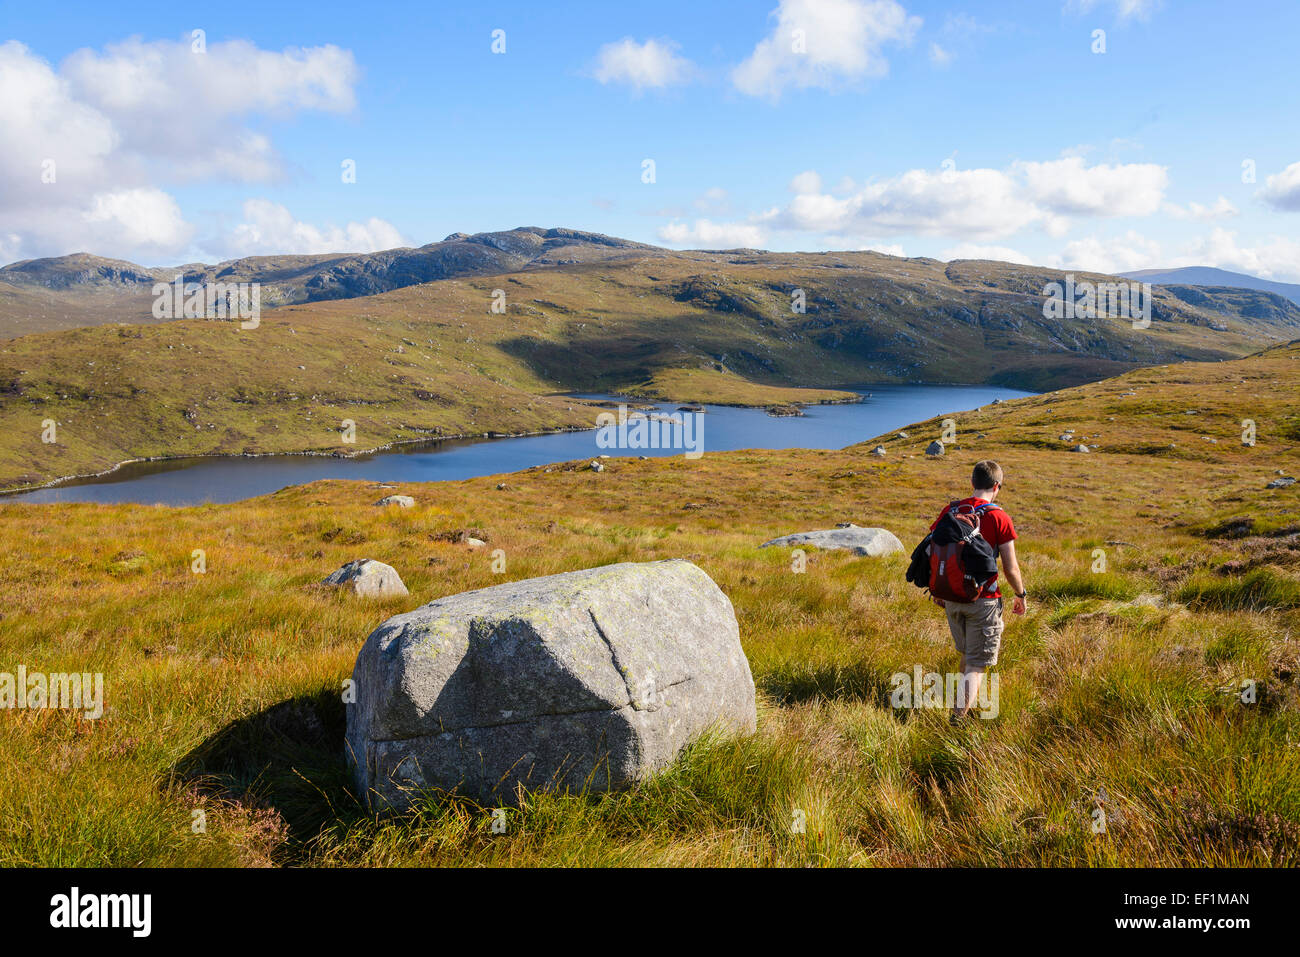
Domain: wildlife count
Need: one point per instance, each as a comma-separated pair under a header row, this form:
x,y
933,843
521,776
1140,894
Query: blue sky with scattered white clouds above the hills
x,y
935,129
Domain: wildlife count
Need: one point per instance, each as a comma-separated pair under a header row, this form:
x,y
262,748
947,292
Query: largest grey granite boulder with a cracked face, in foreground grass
x,y
588,679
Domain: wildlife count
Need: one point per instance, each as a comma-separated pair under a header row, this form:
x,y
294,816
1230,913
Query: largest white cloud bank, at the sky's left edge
x,y
89,148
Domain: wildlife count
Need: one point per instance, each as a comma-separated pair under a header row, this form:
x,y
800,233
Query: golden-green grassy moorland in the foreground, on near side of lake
x,y
224,688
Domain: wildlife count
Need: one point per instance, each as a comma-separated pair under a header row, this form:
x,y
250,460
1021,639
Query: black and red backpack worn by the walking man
x,y
955,561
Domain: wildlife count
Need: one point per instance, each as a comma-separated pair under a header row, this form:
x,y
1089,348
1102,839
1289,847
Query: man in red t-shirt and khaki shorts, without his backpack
x,y
977,626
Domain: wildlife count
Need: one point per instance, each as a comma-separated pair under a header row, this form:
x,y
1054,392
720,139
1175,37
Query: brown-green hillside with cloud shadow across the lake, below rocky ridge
x,y
432,360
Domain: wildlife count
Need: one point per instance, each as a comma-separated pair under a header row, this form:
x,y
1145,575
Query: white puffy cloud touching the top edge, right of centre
x,y
824,44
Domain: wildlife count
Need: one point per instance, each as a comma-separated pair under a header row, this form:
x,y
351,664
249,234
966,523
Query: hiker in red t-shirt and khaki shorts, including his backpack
x,y
977,622
